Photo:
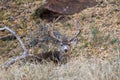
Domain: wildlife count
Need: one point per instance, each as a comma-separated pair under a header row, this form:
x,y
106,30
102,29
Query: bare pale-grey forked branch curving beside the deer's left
x,y
25,51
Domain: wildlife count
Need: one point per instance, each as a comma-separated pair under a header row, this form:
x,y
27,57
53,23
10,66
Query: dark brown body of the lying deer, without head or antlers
x,y
54,56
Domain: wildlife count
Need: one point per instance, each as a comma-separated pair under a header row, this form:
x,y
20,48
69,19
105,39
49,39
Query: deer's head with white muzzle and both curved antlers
x,y
65,43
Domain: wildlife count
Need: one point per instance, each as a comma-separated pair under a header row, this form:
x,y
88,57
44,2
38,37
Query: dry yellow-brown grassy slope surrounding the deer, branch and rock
x,y
95,57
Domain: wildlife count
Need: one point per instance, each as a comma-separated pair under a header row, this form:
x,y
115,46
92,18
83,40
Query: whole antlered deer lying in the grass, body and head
x,y
58,56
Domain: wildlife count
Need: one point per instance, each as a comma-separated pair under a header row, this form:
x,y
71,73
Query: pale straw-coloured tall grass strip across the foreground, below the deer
x,y
78,68
